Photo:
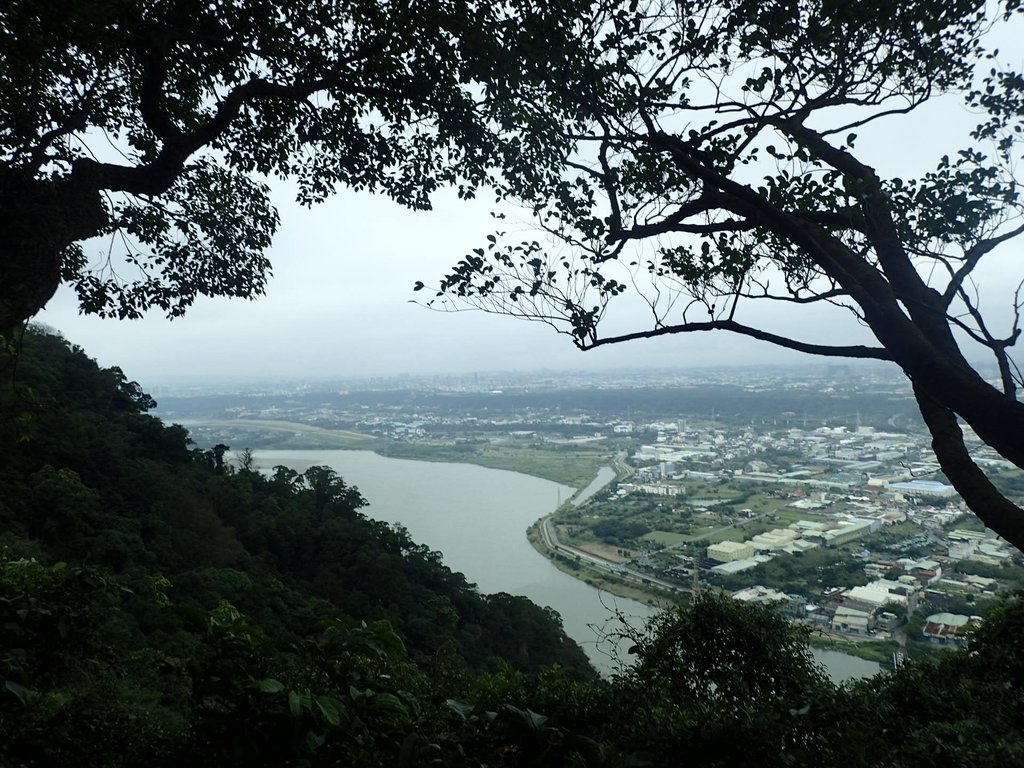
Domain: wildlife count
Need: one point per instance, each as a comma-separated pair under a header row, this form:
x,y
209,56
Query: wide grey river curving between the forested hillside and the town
x,y
478,518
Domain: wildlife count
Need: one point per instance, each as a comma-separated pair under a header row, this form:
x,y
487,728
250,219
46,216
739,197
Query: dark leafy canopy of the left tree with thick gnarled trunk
x,y
156,126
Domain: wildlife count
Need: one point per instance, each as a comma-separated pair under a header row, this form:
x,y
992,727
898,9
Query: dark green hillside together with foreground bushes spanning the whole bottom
x,y
161,607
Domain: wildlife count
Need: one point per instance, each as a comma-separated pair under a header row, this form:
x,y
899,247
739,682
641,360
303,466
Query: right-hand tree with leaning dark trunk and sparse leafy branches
x,y
720,172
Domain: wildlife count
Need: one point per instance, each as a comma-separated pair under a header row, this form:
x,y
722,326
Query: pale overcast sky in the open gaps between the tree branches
x,y
339,302
